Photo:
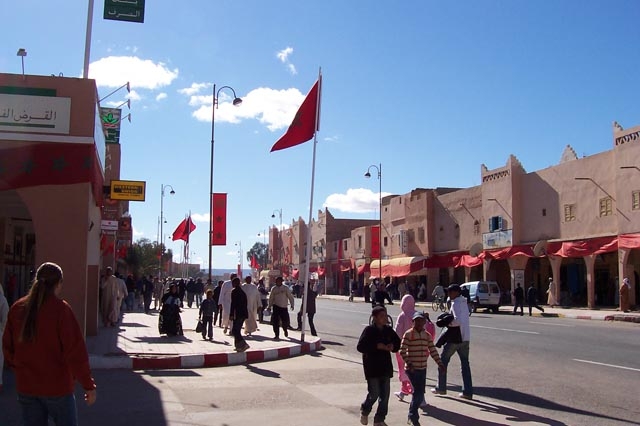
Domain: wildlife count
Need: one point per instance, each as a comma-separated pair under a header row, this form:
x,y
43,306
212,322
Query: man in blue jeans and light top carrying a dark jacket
x,y
460,313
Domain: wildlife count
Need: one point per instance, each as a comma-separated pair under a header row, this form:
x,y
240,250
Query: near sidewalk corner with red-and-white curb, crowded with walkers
x,y
136,344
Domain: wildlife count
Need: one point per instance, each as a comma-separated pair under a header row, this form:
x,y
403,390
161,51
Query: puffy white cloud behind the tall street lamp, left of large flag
x,y
271,107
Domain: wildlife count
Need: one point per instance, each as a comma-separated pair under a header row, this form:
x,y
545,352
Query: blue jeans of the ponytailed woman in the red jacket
x,y
37,410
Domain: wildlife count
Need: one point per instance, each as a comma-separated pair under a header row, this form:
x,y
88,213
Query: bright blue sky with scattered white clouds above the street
x,y
430,89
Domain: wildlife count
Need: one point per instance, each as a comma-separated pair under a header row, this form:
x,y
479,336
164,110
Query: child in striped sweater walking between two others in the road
x,y
417,345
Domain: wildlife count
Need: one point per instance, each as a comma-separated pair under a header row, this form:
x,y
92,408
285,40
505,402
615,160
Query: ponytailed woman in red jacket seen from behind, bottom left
x,y
44,346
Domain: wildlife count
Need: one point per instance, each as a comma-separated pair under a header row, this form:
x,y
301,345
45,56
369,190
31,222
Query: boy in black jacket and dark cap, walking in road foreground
x,y
376,343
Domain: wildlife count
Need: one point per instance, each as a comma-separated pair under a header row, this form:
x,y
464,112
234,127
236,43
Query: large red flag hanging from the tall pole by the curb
x,y
304,124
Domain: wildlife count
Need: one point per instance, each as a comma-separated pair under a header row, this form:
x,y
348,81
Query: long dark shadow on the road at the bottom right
x,y
510,395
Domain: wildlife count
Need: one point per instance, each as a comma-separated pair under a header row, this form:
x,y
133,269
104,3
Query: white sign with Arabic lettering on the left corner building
x,y
35,114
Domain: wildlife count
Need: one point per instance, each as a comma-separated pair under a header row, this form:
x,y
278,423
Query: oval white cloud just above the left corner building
x,y
114,71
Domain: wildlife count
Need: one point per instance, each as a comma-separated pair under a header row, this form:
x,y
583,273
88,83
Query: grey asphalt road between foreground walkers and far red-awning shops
x,y
578,371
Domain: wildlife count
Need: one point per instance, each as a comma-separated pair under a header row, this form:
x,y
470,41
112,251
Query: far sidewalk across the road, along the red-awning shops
x,y
558,312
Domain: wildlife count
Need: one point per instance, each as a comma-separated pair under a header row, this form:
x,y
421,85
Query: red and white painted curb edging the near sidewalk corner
x,y
99,362
